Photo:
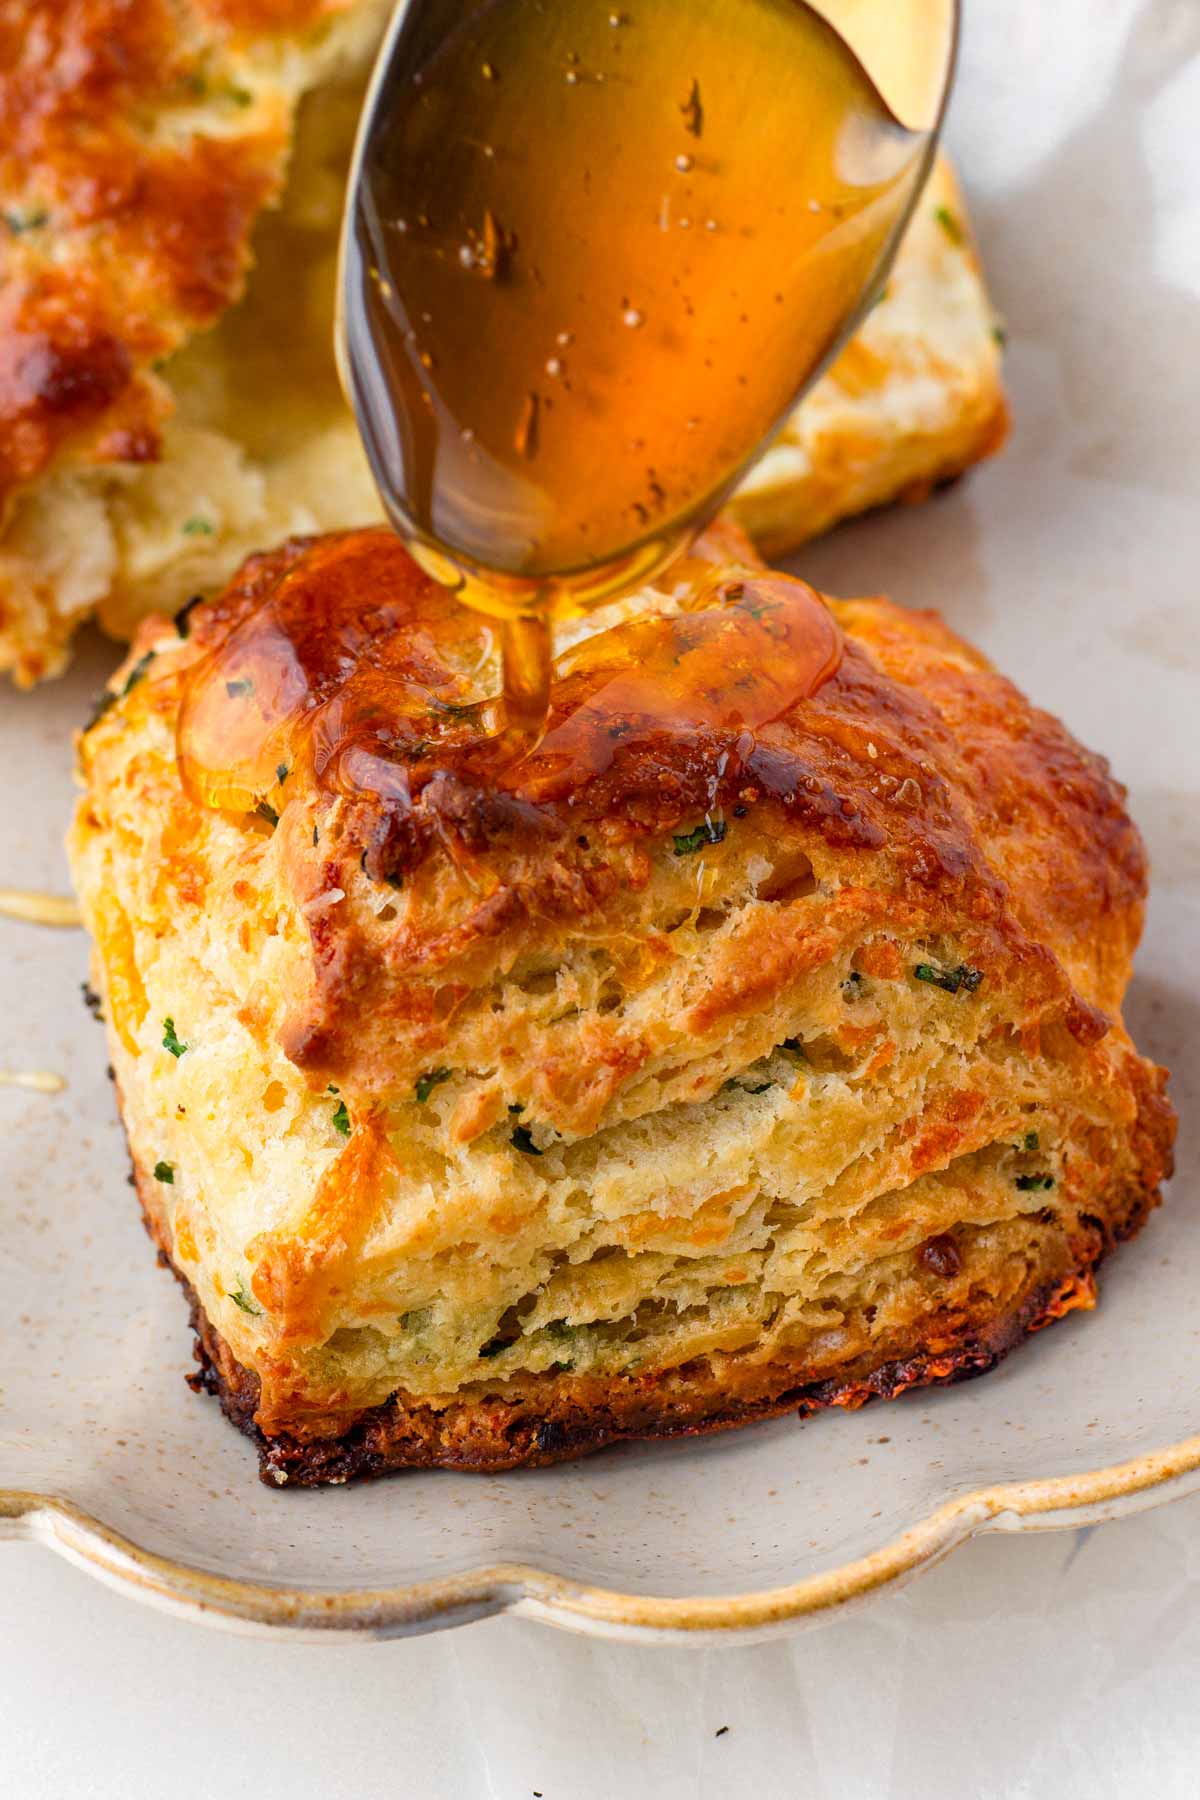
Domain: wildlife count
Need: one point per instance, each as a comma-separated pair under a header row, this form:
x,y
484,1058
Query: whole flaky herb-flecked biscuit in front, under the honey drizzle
x,y
737,1052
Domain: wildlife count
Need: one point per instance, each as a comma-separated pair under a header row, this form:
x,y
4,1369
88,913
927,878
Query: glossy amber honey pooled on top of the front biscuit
x,y
316,685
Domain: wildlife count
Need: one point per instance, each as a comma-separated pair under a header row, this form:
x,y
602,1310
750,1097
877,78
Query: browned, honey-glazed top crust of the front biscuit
x,y
909,744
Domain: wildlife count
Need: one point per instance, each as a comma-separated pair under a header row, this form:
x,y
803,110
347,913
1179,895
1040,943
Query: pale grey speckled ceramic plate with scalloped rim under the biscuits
x,y
1073,561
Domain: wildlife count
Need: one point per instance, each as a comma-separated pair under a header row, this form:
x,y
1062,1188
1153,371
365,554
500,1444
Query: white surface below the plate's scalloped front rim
x,y
1041,1668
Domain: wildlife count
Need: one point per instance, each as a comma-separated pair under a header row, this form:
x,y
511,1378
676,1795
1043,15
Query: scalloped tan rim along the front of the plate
x,y
255,1608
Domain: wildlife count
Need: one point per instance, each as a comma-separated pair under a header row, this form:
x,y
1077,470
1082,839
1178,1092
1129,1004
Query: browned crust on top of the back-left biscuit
x,y
138,147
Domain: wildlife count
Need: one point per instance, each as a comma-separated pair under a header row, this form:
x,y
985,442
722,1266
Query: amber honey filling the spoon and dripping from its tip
x,y
593,260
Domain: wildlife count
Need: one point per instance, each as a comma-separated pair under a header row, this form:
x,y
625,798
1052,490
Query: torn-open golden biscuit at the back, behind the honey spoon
x,y
157,424
